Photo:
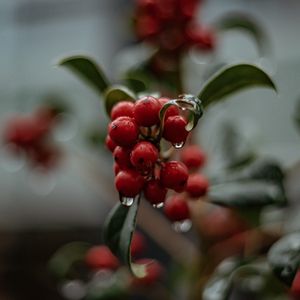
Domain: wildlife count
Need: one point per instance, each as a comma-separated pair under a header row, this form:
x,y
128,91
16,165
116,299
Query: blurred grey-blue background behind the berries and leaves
x,y
39,212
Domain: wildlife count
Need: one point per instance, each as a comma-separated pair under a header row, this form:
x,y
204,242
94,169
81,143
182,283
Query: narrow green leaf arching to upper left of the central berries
x,y
88,70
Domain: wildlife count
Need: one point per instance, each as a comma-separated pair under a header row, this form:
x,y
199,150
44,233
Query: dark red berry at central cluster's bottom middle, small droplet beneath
x,y
154,192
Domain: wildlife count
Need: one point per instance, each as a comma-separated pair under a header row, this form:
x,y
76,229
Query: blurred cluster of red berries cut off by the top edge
x,y
170,25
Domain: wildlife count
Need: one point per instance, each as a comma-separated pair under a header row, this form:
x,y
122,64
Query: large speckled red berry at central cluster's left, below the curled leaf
x,y
123,131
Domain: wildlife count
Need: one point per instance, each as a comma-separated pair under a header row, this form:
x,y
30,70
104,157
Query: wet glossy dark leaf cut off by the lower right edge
x,y
284,257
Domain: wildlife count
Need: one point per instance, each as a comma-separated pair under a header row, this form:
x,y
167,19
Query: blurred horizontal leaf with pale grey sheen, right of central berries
x,y
246,194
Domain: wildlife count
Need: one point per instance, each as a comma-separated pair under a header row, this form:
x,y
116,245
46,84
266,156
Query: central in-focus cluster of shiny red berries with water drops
x,y
134,137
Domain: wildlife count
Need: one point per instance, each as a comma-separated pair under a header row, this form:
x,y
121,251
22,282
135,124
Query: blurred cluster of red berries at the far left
x,y
30,135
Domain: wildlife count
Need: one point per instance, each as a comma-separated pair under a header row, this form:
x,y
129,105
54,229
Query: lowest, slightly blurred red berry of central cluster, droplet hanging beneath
x,y
176,209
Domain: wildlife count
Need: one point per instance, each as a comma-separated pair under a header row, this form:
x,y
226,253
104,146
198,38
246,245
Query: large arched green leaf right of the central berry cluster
x,y
233,79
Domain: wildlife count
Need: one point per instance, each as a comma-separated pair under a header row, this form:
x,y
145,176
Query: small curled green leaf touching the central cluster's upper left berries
x,y
116,94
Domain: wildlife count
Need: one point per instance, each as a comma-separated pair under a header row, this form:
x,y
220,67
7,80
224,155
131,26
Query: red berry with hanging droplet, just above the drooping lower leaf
x,y
129,183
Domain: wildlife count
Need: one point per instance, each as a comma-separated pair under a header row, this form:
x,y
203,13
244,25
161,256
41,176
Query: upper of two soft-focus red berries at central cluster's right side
x,y
193,157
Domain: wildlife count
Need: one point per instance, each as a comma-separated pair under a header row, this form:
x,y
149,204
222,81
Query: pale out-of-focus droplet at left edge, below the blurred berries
x,y
11,158
